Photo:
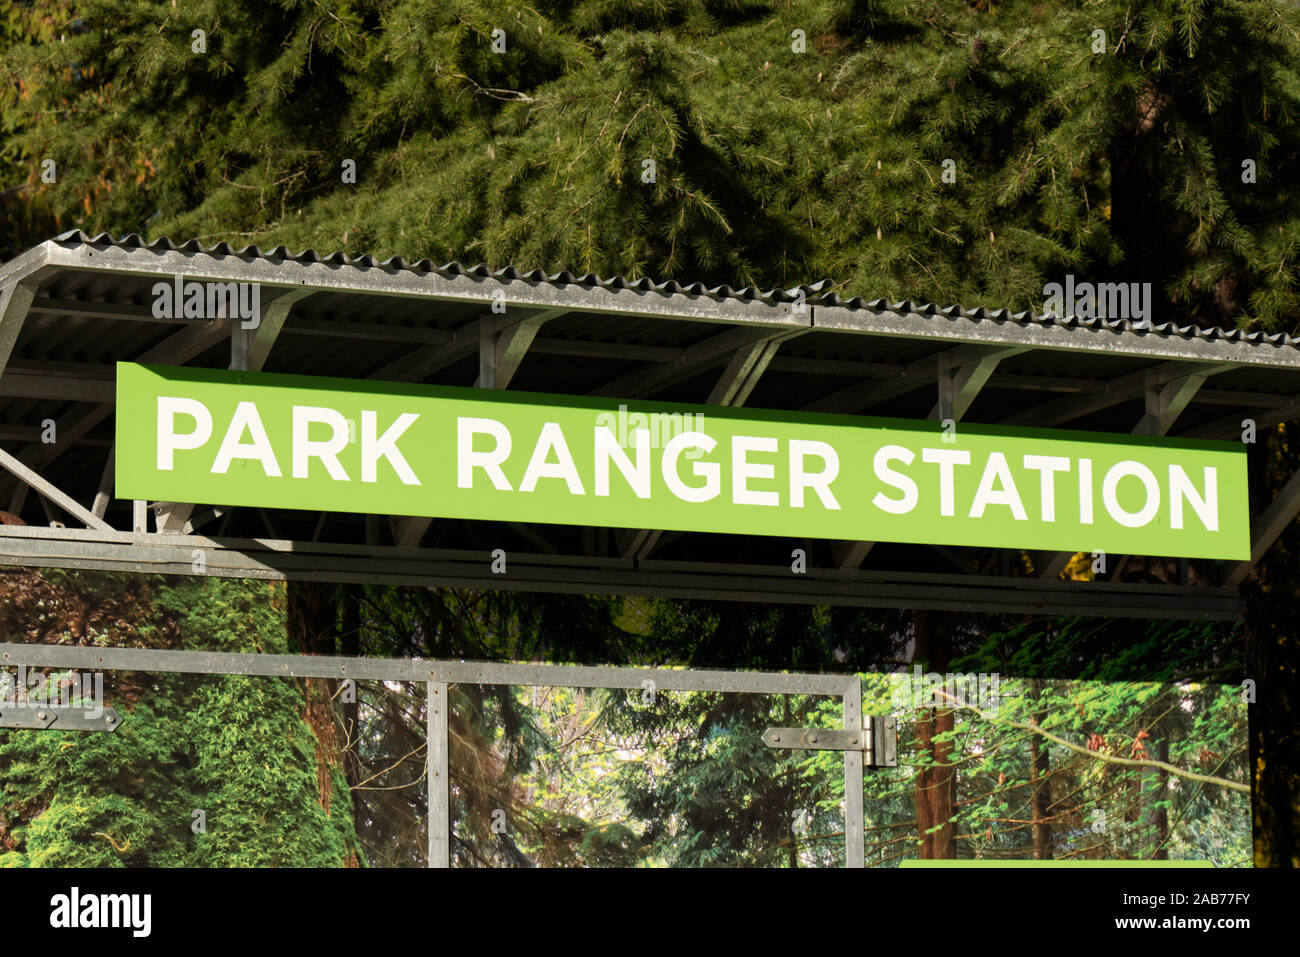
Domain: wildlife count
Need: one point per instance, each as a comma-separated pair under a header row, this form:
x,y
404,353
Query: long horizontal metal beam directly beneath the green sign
x,y
280,561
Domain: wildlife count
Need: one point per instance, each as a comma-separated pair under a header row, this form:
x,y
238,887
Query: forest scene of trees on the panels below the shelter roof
x,y
1019,738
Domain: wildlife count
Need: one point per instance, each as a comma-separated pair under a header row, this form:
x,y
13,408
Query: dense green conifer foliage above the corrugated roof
x,y
774,167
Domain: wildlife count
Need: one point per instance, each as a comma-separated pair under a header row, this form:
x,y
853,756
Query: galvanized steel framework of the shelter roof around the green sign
x,y
753,324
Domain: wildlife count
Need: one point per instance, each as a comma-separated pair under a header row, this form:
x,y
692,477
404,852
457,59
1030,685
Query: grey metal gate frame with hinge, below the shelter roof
x,y
876,747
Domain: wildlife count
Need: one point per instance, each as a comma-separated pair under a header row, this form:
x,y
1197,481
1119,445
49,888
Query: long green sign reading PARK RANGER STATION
x,y
246,439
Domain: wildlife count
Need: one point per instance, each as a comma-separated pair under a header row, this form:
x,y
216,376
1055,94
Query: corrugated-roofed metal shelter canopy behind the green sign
x,y
73,308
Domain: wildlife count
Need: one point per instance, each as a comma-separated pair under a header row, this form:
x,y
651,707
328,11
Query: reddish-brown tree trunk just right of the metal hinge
x,y
937,785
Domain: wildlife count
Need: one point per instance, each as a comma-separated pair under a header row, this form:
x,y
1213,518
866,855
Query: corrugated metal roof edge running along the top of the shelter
x,y
618,295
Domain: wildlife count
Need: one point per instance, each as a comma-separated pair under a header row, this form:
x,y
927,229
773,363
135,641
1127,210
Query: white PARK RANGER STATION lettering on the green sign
x,y
313,441
